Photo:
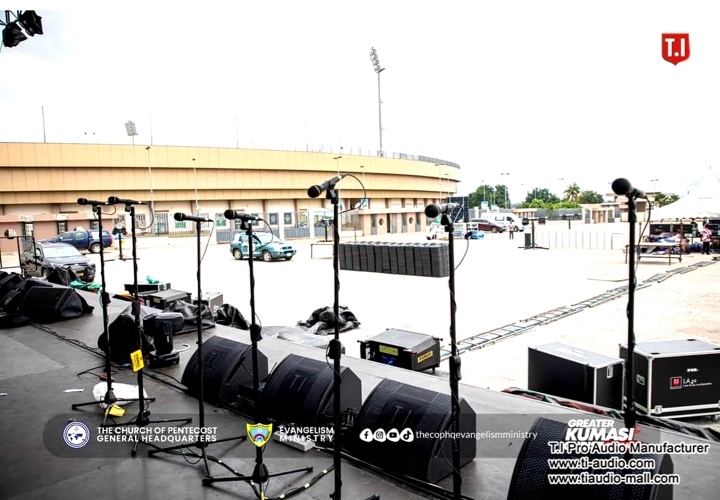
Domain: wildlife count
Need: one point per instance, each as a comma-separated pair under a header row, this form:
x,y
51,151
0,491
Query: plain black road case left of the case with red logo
x,y
570,372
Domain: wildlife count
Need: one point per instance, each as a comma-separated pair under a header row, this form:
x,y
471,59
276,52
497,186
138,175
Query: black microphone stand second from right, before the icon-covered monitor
x,y
455,375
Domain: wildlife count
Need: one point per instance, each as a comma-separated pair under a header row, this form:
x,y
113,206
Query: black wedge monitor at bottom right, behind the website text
x,y
530,477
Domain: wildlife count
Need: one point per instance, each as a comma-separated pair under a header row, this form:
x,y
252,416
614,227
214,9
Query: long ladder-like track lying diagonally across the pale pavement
x,y
493,336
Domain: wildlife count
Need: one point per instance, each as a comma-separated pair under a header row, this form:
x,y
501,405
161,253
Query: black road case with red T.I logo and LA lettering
x,y
676,378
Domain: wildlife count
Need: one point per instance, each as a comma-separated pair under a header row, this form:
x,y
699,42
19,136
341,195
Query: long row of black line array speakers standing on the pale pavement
x,y
411,259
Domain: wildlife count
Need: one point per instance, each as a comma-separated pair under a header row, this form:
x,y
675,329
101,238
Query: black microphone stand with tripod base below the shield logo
x,y
260,474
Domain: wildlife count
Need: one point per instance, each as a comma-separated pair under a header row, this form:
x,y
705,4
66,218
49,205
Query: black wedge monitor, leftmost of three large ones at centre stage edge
x,y
228,380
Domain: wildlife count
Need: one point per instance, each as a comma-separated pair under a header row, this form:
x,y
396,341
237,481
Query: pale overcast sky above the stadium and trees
x,y
541,90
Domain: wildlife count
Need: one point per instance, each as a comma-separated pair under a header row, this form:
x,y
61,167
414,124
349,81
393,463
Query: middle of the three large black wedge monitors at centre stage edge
x,y
299,391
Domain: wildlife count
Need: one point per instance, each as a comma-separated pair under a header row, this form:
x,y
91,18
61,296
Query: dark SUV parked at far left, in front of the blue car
x,y
40,258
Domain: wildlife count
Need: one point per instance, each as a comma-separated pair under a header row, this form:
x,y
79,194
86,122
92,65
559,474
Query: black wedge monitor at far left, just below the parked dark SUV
x,y
49,304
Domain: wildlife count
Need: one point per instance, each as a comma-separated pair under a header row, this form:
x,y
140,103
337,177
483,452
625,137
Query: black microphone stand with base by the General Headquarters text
x,y
200,443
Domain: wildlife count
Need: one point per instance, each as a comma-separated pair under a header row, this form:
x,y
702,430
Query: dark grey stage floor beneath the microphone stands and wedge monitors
x,y
39,363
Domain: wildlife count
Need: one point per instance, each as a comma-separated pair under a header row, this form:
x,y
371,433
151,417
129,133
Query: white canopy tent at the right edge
x,y
701,202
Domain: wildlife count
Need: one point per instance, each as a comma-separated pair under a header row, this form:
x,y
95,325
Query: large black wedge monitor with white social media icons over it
x,y
394,407
